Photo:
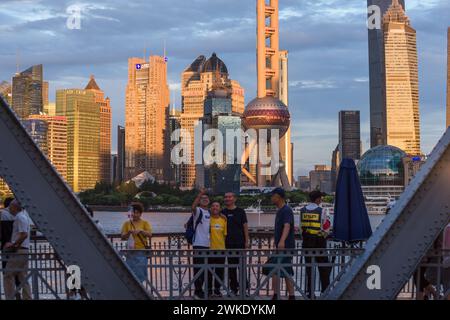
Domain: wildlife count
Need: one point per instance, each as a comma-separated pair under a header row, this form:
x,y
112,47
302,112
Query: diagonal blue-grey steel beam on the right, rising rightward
x,y
405,235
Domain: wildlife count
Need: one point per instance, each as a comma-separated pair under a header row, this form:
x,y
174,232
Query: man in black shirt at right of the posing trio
x,y
237,236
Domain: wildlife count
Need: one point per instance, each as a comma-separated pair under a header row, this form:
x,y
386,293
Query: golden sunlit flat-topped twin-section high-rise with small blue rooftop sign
x,y
146,110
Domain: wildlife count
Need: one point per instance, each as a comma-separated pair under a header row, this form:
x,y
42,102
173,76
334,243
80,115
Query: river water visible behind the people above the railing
x,y
164,222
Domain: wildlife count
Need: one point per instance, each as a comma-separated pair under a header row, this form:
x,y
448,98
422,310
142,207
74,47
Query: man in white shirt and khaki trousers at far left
x,y
17,265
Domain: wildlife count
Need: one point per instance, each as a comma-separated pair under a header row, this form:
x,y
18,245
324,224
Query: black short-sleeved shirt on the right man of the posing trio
x,y
236,219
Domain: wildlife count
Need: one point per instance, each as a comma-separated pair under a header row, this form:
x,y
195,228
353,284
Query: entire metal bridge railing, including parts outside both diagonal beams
x,y
171,272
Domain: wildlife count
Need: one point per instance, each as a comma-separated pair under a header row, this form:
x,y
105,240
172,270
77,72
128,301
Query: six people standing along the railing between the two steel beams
x,y
214,227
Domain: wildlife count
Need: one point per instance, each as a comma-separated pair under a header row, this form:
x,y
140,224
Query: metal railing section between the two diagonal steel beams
x,y
172,273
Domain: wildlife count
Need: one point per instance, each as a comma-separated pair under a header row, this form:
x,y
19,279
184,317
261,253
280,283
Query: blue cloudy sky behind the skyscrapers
x,y
326,40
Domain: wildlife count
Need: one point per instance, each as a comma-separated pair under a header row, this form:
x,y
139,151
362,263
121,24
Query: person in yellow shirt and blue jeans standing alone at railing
x,y
140,232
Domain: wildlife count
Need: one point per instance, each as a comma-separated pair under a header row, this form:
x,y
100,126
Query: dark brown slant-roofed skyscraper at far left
x,y
27,92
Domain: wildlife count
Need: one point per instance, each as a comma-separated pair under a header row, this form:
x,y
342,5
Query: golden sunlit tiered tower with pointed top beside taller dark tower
x,y
401,80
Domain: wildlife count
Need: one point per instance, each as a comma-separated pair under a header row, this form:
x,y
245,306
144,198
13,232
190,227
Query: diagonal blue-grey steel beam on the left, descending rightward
x,y
60,216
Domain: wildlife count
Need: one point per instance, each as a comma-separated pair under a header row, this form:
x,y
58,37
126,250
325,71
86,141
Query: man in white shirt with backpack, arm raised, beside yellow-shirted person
x,y
198,234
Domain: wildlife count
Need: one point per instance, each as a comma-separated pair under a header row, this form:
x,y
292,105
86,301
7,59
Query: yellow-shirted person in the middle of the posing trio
x,y
218,235
